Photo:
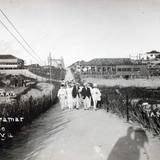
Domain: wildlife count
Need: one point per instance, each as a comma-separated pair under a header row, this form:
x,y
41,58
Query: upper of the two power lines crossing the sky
x,y
11,23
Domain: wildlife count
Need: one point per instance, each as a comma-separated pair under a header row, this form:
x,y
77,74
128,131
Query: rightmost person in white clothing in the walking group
x,y
96,95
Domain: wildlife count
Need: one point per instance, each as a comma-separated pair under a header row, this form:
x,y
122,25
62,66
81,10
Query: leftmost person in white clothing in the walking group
x,y
62,95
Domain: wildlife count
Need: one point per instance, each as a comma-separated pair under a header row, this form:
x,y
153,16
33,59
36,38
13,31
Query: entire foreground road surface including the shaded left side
x,y
70,135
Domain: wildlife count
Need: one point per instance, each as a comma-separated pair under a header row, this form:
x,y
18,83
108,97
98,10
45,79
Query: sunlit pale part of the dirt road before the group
x,y
92,135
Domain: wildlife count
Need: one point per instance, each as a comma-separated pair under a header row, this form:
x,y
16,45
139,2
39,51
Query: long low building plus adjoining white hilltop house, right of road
x,y
120,67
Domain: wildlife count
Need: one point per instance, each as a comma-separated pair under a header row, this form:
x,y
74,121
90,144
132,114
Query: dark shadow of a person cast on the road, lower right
x,y
129,146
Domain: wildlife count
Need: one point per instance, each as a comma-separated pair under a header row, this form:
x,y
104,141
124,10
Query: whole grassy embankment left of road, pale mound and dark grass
x,y
31,100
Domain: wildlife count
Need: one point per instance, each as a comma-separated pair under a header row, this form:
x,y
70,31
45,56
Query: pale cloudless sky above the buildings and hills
x,y
81,29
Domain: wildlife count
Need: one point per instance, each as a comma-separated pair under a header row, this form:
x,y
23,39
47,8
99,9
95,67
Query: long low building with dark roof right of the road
x,y
112,68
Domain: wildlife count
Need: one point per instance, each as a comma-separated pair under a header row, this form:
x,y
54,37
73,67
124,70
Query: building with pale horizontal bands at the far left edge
x,y
8,61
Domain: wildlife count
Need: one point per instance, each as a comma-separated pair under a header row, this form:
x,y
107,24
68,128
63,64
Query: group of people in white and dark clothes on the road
x,y
72,95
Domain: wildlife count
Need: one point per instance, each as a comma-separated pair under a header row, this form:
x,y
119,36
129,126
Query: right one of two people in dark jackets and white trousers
x,y
86,95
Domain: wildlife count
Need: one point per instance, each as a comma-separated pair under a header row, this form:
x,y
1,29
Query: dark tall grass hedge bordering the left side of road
x,y
29,109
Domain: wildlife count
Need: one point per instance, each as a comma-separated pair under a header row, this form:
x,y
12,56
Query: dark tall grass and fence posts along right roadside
x,y
136,104
